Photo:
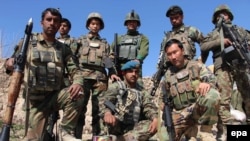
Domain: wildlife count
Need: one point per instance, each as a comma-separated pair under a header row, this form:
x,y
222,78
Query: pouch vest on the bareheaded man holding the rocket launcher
x,y
46,66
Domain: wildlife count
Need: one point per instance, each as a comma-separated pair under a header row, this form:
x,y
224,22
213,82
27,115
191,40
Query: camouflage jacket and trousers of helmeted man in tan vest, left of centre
x,y
95,83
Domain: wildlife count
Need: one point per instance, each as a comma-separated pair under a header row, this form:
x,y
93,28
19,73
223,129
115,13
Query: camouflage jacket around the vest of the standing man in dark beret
x,y
194,35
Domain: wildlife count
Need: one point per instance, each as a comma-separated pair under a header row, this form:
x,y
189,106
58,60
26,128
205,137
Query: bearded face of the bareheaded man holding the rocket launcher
x,y
50,24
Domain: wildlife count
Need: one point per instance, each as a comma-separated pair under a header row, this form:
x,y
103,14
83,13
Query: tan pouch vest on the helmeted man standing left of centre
x,y
92,52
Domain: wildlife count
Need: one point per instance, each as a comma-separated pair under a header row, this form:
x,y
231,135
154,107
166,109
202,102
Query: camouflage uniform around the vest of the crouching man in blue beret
x,y
137,131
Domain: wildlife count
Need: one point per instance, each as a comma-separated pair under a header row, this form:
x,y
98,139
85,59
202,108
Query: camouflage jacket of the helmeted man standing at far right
x,y
212,42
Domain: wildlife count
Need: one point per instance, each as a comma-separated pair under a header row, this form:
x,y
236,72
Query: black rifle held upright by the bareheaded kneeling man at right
x,y
167,113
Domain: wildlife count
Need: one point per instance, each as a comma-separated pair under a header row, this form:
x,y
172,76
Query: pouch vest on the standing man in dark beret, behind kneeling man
x,y
185,39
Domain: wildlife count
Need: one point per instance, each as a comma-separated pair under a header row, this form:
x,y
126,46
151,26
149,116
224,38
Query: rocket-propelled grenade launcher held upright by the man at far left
x,y
16,81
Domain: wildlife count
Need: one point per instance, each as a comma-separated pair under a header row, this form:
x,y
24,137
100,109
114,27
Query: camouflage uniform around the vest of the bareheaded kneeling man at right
x,y
204,111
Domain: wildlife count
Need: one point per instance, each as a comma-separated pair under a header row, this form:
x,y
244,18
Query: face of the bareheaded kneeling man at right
x,y
175,55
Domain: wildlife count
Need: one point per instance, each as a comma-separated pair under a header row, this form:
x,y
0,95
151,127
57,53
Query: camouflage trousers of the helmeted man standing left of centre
x,y
92,88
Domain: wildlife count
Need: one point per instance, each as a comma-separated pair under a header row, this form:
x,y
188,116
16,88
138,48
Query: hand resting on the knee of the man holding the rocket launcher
x,y
75,91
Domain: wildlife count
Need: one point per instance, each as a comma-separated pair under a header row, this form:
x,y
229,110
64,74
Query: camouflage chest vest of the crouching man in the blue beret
x,y
129,104
